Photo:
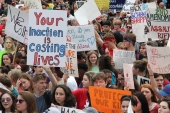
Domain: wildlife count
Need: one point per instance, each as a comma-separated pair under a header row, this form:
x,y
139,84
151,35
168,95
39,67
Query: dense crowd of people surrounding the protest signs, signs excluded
x,y
33,89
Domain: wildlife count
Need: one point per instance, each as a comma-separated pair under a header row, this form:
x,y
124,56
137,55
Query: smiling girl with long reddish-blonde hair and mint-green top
x,y
92,61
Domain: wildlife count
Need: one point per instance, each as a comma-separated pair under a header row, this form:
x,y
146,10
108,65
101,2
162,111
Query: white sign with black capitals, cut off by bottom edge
x,y
67,109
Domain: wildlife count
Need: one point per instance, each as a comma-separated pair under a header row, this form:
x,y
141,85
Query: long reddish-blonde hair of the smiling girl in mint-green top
x,y
88,61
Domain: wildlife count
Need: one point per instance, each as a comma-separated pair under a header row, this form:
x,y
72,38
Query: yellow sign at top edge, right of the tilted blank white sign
x,y
102,4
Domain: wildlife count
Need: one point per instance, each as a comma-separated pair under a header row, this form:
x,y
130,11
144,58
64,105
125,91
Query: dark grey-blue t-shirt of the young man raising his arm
x,y
41,104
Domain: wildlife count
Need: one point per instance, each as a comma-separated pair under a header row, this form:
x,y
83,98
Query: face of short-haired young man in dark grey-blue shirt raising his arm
x,y
40,85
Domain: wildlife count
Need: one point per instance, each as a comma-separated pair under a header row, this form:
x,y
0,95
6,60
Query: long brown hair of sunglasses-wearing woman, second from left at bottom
x,y
29,99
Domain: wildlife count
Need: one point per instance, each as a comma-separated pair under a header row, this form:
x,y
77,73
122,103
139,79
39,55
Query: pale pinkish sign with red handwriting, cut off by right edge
x,y
158,58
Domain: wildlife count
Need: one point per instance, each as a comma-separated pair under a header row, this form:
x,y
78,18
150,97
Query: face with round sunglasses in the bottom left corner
x,y
6,101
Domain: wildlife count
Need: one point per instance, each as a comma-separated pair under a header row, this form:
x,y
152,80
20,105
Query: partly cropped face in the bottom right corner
x,y
163,108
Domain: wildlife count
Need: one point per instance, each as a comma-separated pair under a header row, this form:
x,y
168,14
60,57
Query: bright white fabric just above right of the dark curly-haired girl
x,y
71,83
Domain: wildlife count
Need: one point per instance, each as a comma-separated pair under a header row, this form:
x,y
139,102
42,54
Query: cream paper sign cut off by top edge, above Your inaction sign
x,y
33,4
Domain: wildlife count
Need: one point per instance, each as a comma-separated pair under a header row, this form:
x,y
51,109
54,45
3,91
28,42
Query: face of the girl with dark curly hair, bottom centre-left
x,y
60,96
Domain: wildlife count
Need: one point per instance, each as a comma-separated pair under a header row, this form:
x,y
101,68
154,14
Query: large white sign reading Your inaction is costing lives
x,y
47,37
